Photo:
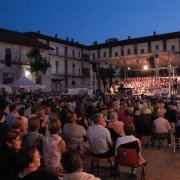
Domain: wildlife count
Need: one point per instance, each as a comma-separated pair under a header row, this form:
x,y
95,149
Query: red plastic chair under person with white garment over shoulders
x,y
129,158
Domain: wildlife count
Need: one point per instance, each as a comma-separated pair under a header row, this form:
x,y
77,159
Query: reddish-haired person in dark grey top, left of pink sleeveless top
x,y
33,138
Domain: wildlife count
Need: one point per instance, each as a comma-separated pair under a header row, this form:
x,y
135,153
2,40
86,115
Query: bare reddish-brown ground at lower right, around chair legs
x,y
162,164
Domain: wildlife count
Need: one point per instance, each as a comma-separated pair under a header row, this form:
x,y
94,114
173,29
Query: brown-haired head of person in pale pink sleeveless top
x,y
54,126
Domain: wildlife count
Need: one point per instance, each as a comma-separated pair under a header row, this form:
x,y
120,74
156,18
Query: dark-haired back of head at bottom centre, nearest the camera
x,y
71,161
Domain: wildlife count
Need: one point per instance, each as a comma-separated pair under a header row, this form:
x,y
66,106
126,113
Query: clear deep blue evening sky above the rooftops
x,y
91,20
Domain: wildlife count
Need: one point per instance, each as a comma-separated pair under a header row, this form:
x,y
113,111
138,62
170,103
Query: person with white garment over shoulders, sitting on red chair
x,y
129,141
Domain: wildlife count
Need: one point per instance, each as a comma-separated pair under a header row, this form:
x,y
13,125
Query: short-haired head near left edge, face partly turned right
x,y
13,140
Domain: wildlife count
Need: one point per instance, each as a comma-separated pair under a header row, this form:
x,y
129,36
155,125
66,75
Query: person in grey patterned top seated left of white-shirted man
x,y
73,134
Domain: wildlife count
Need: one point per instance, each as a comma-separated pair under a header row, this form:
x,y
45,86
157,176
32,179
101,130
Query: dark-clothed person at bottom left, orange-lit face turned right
x,y
30,163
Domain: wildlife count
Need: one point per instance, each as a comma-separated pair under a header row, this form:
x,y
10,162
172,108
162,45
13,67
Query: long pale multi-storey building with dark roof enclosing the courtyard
x,y
71,62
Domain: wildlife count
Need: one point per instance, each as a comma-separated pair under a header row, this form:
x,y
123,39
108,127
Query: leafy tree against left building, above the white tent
x,y
38,64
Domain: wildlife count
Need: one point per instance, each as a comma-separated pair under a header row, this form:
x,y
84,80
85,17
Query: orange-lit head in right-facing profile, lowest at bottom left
x,y
30,159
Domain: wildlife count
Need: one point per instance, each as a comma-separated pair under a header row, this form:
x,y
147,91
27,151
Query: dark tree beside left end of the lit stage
x,y
105,74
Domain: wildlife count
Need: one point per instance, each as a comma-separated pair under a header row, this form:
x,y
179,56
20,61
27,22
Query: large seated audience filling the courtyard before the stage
x,y
44,135
